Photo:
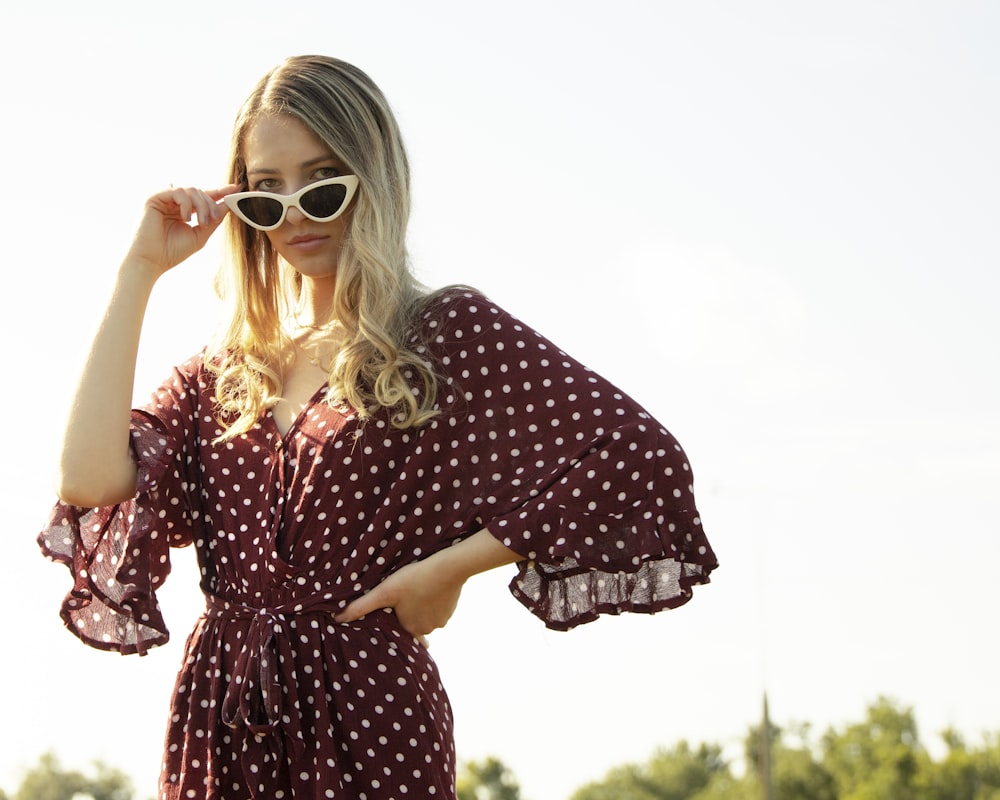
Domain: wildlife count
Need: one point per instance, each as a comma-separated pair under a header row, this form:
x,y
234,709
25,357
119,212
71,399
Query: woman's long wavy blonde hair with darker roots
x,y
376,297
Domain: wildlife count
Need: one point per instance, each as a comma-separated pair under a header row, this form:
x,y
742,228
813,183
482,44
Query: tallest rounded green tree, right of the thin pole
x,y
877,759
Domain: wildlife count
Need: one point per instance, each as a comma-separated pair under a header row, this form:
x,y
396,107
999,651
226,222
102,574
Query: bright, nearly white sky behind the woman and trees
x,y
774,223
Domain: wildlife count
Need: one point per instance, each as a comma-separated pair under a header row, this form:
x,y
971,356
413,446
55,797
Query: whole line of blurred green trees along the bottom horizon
x,y
878,758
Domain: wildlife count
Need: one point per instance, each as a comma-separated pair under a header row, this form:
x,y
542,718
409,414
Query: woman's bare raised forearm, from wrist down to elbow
x,y
95,466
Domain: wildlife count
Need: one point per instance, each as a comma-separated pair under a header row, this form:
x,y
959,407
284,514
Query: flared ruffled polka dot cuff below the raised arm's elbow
x,y
118,555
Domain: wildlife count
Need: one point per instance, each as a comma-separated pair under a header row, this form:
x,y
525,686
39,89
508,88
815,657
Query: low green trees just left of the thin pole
x,y
679,773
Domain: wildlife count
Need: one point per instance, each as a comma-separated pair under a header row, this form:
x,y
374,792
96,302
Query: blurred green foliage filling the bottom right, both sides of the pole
x,y
880,758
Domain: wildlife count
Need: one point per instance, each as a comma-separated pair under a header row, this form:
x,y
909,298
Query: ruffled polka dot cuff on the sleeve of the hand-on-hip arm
x,y
596,565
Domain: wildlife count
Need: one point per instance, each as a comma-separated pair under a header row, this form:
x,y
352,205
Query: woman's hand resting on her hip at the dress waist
x,y
423,595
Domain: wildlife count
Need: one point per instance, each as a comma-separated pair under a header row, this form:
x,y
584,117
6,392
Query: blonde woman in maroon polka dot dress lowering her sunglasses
x,y
335,526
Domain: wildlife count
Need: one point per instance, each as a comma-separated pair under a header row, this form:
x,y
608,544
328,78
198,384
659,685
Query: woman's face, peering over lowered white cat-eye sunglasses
x,y
282,156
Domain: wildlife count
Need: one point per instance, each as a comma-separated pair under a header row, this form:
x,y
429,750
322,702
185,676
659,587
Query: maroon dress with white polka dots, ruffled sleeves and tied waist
x,y
276,700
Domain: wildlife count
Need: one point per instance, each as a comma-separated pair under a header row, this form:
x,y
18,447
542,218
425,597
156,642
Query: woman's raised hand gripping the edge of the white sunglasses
x,y
176,223
